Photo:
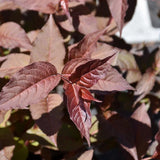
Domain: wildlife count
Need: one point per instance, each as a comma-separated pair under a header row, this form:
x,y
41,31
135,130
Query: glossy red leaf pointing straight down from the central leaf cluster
x,y
79,110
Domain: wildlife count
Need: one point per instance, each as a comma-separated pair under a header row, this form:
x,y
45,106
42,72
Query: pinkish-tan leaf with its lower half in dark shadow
x,y
48,114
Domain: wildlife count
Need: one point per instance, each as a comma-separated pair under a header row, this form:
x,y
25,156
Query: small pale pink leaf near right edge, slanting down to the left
x,y
146,83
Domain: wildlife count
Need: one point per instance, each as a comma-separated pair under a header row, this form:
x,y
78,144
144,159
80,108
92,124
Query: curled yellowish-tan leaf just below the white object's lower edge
x,y
127,62
